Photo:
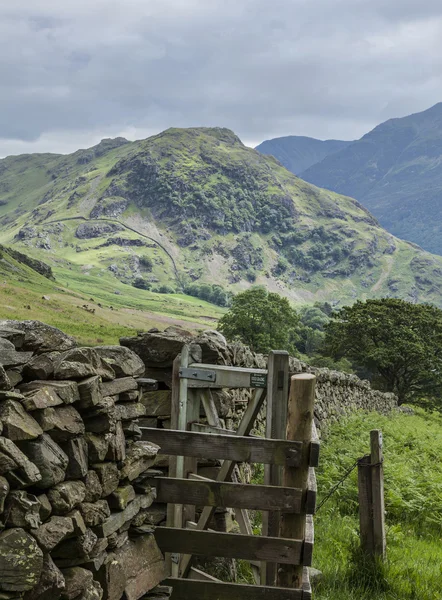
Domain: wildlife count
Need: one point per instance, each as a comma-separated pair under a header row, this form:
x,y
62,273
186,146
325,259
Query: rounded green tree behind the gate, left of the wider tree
x,y
262,320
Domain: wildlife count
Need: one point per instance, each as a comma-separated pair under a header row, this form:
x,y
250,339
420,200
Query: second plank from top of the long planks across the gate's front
x,y
226,495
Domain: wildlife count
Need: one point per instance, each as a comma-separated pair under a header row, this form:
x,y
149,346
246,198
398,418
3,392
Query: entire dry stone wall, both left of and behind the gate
x,y
76,508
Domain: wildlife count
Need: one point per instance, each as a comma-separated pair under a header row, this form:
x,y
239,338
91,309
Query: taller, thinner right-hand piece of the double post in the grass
x,y
377,487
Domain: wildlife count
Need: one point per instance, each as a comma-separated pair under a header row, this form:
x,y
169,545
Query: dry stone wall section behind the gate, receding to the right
x,y
337,393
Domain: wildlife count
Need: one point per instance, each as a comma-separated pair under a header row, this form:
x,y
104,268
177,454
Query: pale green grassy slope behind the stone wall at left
x,y
119,309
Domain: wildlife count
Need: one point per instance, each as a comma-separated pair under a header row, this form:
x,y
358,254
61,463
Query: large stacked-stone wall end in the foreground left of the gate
x,y
72,518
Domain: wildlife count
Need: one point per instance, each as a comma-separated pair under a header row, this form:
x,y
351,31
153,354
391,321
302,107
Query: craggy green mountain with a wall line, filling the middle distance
x,y
194,210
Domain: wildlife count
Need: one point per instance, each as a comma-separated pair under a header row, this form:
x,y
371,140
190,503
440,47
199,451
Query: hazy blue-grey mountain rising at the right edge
x,y
395,170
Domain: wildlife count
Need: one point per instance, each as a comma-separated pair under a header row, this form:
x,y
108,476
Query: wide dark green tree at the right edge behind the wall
x,y
396,343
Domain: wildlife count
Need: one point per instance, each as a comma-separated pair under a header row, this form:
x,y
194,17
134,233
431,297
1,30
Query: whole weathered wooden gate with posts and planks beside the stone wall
x,y
279,560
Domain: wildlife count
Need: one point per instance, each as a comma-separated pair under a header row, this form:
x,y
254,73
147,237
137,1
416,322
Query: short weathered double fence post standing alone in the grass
x,y
371,499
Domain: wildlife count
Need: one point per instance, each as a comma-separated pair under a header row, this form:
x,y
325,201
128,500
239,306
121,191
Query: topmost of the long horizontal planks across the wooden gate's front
x,y
228,447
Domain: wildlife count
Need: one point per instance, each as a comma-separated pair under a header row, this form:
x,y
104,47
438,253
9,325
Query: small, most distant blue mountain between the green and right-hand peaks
x,y
297,153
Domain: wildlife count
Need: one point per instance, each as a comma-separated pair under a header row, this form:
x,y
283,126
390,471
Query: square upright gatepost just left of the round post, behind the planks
x,y
276,428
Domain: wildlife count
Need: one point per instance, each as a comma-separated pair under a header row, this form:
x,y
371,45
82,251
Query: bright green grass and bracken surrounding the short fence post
x,y
413,495
